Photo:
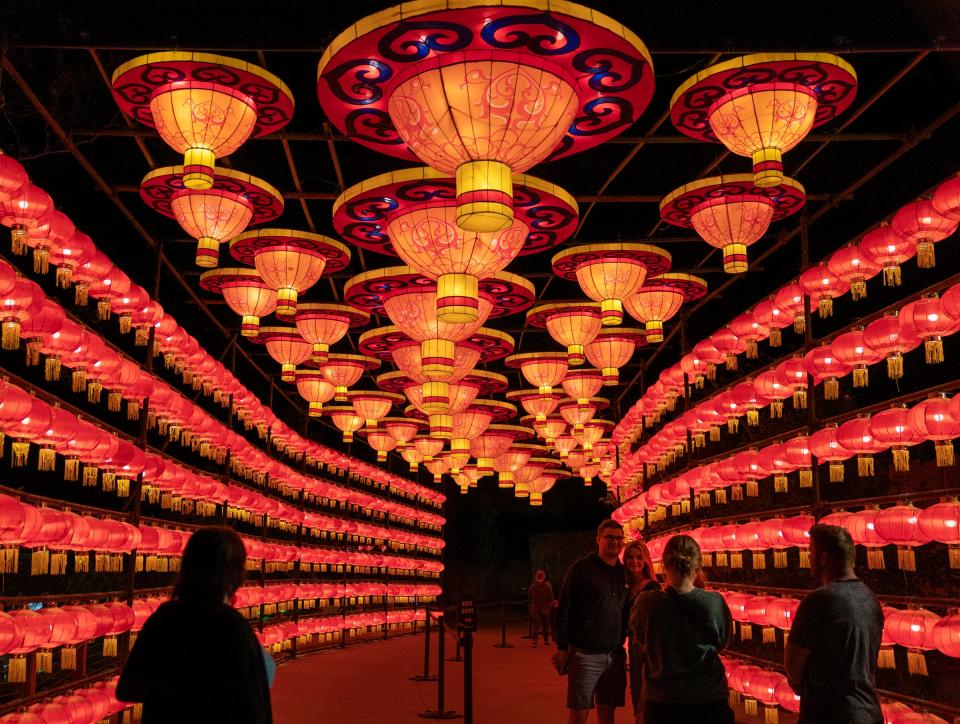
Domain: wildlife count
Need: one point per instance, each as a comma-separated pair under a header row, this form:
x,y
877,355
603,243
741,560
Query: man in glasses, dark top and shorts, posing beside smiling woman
x,y
591,629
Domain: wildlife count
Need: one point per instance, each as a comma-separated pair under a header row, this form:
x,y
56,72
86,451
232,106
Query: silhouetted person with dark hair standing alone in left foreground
x,y
197,659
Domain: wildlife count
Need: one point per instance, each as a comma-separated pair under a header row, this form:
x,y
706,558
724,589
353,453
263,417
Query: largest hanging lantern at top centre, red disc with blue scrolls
x,y
482,107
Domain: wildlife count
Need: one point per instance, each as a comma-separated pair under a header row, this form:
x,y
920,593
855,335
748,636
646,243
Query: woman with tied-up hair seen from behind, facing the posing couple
x,y
679,633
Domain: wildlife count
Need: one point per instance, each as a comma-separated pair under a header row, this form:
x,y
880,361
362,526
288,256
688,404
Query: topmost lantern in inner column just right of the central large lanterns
x,y
610,273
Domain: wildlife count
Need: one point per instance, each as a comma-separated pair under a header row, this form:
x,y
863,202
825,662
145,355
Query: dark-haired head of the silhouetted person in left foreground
x,y
213,566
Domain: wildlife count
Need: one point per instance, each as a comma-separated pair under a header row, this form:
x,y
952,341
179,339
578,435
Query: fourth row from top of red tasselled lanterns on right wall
x,y
904,526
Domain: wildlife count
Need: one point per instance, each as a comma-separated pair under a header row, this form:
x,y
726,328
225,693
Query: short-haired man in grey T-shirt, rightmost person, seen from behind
x,y
831,654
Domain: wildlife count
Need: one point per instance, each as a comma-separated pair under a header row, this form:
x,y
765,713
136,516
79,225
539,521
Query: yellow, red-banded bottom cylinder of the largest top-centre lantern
x,y
484,196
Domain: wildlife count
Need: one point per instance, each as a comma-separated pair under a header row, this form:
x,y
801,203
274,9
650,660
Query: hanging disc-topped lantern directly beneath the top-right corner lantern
x,y
730,212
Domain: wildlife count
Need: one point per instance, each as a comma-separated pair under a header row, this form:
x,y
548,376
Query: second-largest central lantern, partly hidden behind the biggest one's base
x,y
412,214
